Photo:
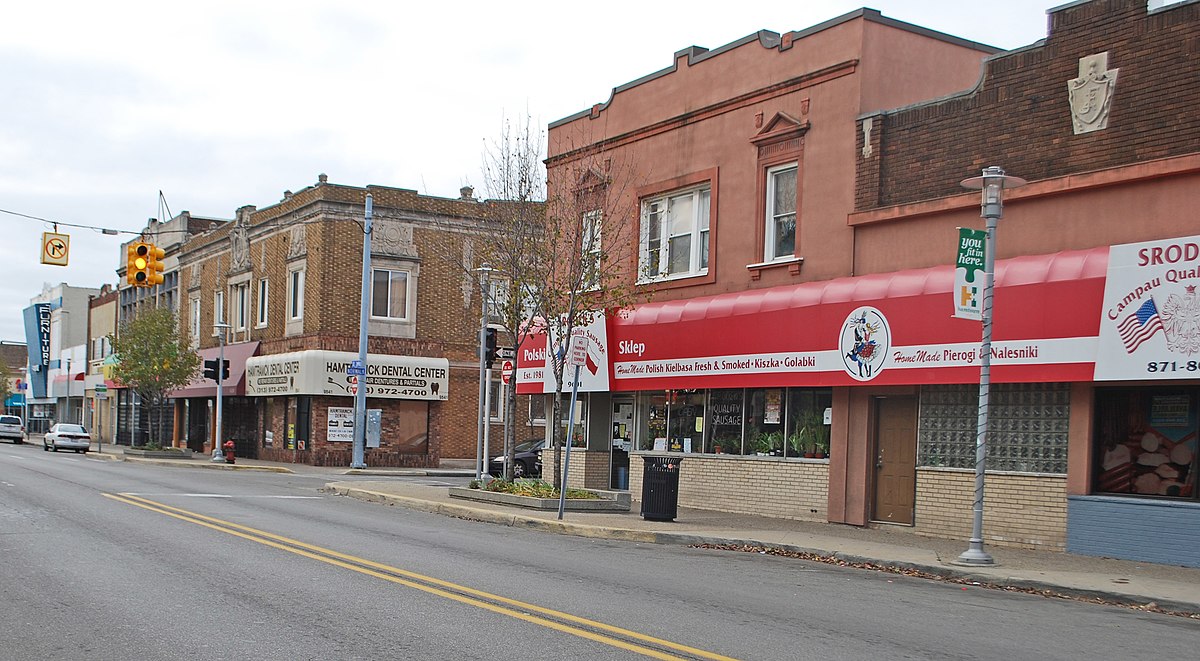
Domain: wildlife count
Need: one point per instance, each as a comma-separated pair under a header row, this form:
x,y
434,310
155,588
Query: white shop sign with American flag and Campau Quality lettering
x,y
1150,328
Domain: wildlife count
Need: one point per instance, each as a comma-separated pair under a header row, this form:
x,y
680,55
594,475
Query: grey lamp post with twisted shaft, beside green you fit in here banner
x,y
993,184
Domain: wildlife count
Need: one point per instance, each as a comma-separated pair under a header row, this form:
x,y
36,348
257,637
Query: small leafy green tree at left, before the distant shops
x,y
152,358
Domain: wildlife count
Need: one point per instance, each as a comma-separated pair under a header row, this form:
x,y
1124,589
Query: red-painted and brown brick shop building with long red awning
x,y
797,226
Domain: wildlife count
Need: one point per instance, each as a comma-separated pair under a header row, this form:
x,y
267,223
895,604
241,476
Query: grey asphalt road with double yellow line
x,y
121,561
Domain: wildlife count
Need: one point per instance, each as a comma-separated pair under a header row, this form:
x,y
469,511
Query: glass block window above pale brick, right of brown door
x,y
1028,428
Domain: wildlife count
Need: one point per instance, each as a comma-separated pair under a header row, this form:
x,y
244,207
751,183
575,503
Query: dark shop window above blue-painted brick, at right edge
x,y
1145,442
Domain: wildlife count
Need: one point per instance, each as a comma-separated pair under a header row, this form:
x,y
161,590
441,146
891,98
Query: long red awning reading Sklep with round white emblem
x,y
885,329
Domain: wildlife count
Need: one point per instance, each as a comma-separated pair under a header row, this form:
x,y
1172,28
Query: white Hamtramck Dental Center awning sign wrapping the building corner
x,y
319,372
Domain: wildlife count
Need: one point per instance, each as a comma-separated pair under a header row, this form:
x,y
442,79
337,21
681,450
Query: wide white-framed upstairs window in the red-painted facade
x,y
675,235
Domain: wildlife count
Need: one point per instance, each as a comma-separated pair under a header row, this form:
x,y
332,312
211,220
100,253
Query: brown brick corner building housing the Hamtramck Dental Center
x,y
286,280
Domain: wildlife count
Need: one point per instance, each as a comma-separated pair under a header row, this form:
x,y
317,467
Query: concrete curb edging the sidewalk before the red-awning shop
x,y
685,539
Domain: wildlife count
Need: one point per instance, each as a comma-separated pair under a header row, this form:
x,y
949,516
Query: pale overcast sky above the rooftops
x,y
226,104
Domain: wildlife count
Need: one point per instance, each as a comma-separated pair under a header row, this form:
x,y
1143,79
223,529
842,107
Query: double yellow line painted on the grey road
x,y
557,621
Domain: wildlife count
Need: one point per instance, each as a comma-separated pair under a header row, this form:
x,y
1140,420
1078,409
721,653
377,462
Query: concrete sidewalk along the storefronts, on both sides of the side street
x,y
1153,587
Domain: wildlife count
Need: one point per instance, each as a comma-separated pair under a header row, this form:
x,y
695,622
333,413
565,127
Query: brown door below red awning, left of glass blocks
x,y
896,461
